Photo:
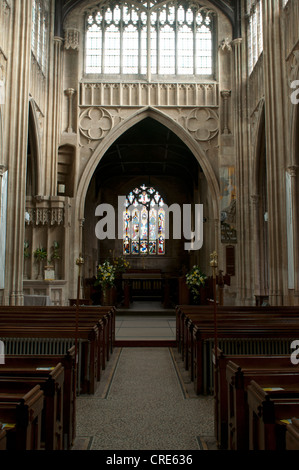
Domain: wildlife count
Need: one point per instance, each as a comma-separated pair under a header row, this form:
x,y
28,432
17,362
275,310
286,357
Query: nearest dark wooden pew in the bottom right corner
x,y
269,413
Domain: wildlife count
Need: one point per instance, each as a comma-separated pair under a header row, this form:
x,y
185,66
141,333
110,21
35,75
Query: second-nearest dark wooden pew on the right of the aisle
x,y
239,373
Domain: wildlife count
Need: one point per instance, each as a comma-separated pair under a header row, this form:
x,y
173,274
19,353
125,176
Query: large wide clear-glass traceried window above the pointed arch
x,y
149,36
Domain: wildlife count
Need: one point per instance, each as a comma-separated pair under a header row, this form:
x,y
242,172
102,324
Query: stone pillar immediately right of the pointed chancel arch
x,y
245,288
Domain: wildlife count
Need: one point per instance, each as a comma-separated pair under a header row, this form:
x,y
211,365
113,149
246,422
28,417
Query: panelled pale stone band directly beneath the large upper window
x,y
149,94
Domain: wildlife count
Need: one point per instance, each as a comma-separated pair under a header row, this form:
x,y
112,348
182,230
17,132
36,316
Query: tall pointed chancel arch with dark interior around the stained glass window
x,y
155,153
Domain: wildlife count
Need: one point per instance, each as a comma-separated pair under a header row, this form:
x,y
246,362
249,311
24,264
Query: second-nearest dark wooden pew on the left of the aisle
x,y
51,383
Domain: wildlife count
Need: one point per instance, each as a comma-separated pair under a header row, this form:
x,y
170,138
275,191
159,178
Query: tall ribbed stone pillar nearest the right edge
x,y
276,150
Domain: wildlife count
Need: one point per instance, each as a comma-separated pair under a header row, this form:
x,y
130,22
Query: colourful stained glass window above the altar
x,y
144,222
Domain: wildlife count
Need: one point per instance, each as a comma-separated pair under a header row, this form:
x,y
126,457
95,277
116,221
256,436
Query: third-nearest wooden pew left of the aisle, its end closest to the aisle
x,y
25,364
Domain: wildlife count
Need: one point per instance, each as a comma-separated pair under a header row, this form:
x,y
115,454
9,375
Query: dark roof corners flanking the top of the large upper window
x,y
231,8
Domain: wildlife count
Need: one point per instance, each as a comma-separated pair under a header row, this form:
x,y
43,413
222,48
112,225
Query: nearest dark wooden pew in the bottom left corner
x,y
21,414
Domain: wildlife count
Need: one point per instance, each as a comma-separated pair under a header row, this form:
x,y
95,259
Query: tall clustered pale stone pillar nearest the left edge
x,y
17,110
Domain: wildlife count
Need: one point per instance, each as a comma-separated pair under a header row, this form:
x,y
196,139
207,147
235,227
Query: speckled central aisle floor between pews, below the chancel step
x,y
143,404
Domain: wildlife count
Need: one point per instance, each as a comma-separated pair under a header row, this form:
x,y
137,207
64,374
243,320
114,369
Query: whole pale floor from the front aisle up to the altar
x,y
145,400
